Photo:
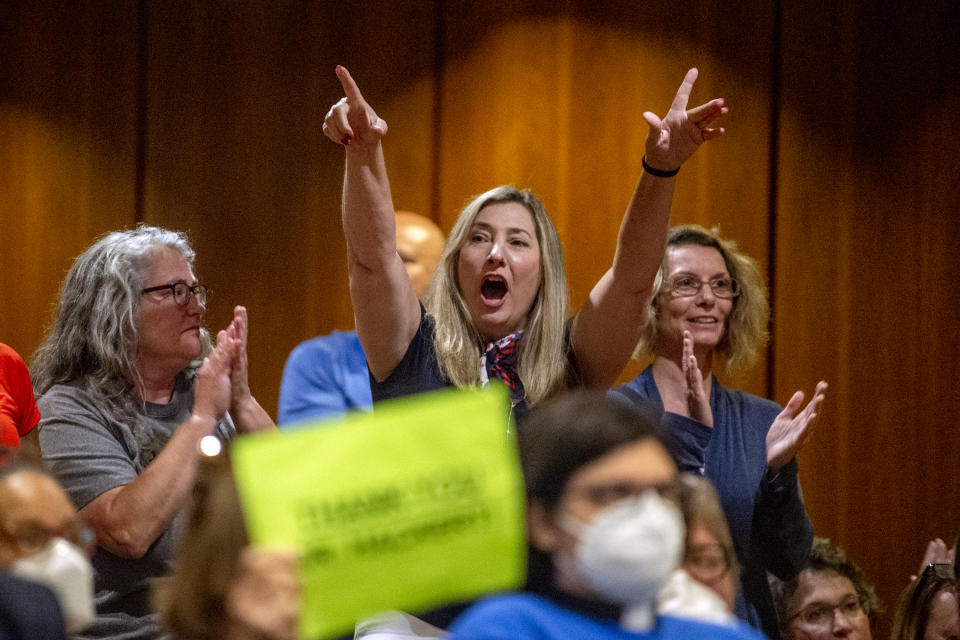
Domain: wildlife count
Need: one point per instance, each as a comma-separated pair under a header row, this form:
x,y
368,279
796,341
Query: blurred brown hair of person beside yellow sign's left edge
x,y
192,601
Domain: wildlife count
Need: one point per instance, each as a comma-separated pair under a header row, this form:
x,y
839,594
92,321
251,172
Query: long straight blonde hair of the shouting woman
x,y
542,357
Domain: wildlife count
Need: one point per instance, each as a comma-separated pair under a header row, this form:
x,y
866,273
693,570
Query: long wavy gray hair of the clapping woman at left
x,y
94,339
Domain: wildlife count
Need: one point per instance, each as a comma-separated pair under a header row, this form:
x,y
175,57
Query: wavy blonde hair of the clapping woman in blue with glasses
x,y
746,330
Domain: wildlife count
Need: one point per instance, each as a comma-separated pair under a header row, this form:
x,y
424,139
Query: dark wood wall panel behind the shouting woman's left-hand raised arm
x,y
235,152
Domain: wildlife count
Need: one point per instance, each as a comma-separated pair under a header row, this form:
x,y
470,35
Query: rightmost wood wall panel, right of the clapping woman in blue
x,y
868,190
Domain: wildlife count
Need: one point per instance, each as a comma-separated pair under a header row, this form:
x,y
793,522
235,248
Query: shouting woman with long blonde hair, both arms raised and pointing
x,y
497,307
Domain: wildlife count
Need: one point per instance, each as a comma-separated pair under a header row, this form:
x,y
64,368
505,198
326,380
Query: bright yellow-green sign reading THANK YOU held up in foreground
x,y
416,505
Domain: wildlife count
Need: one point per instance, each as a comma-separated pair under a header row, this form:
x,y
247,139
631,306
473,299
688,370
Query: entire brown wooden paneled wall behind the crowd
x,y
838,173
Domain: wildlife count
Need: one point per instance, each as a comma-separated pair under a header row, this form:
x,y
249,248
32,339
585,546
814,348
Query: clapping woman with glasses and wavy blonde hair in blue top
x,y
709,300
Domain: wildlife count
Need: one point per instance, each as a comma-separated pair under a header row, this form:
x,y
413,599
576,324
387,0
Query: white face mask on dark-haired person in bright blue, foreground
x,y
628,550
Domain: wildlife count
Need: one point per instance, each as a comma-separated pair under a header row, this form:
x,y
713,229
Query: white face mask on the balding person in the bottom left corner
x,y
64,569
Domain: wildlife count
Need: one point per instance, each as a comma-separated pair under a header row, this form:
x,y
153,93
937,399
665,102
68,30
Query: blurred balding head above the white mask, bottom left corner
x,y
31,504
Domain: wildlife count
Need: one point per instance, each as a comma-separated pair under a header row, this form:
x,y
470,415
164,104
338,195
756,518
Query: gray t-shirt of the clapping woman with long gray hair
x,y
90,452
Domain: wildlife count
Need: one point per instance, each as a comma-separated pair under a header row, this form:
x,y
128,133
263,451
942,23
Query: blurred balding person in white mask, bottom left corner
x,y
42,542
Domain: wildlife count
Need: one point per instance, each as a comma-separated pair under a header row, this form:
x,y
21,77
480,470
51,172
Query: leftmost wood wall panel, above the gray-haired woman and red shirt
x,y
67,164
